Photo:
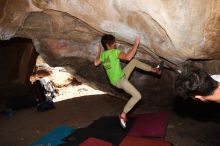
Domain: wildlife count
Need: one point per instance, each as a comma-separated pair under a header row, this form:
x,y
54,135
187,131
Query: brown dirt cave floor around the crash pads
x,y
28,125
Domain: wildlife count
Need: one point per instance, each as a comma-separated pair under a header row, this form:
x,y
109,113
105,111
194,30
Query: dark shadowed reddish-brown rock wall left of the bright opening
x,y
17,61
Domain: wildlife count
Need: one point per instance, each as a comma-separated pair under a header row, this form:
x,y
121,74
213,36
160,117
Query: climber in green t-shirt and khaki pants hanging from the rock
x,y
110,59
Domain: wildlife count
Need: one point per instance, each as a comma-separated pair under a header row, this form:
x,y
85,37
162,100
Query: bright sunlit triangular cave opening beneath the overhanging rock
x,y
66,85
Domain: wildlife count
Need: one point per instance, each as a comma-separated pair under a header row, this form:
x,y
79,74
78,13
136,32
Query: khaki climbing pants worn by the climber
x,y
128,87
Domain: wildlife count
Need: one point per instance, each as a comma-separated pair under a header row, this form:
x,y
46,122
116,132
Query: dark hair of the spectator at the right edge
x,y
195,82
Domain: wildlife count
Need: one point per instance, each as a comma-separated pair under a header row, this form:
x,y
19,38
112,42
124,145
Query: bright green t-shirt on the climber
x,y
112,65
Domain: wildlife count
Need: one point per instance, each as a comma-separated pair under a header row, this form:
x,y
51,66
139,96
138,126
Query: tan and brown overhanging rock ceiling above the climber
x,y
64,32
